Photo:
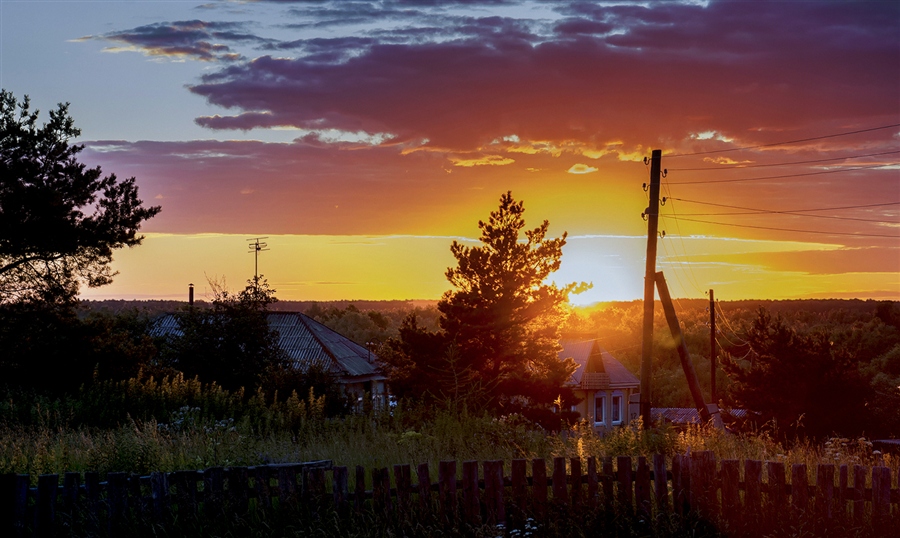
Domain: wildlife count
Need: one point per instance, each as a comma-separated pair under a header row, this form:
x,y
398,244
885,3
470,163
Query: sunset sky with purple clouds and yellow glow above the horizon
x,y
362,138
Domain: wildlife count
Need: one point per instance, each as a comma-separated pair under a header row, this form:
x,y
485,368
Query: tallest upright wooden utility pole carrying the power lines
x,y
652,213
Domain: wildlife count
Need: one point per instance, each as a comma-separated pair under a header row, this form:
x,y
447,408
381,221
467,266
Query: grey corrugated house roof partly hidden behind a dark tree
x,y
306,342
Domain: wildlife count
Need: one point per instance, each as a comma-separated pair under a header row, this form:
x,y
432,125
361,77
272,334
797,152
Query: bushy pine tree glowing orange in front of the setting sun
x,y
500,327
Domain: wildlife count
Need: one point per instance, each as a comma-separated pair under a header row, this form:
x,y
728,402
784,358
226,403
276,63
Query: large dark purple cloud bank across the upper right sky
x,y
661,74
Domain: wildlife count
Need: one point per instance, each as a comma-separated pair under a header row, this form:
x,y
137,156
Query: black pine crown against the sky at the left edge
x,y
59,220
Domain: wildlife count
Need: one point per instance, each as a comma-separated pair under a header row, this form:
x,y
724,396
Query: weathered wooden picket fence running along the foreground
x,y
694,484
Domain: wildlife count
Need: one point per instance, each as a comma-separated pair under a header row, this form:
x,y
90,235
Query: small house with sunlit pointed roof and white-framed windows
x,y
603,384
